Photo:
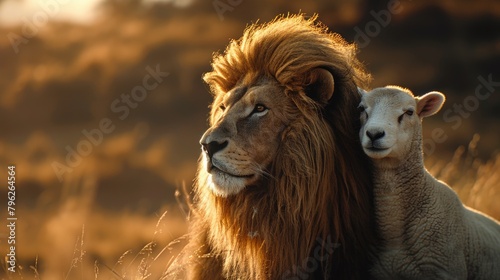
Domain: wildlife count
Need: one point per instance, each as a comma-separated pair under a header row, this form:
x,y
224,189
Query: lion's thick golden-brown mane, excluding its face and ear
x,y
319,187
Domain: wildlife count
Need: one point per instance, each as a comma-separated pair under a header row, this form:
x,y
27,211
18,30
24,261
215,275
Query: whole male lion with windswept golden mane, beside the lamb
x,y
283,189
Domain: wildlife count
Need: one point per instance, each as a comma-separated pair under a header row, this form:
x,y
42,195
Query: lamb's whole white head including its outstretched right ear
x,y
391,122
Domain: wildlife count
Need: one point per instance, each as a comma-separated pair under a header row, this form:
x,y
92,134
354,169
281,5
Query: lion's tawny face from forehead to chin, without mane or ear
x,y
246,124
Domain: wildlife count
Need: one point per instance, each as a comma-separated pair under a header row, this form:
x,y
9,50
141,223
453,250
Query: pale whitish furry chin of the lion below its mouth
x,y
223,184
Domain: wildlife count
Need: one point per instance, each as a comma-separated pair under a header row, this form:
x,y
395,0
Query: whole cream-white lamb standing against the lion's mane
x,y
426,232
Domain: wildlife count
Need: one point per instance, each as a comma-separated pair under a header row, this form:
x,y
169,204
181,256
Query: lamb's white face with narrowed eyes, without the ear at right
x,y
389,122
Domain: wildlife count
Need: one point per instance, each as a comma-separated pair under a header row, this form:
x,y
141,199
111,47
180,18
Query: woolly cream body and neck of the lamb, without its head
x,y
428,233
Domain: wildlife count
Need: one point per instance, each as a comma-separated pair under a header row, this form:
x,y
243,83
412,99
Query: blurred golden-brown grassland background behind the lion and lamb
x,y
102,105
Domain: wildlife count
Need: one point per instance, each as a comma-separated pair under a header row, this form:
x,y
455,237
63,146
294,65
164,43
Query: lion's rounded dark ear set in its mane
x,y
319,85
